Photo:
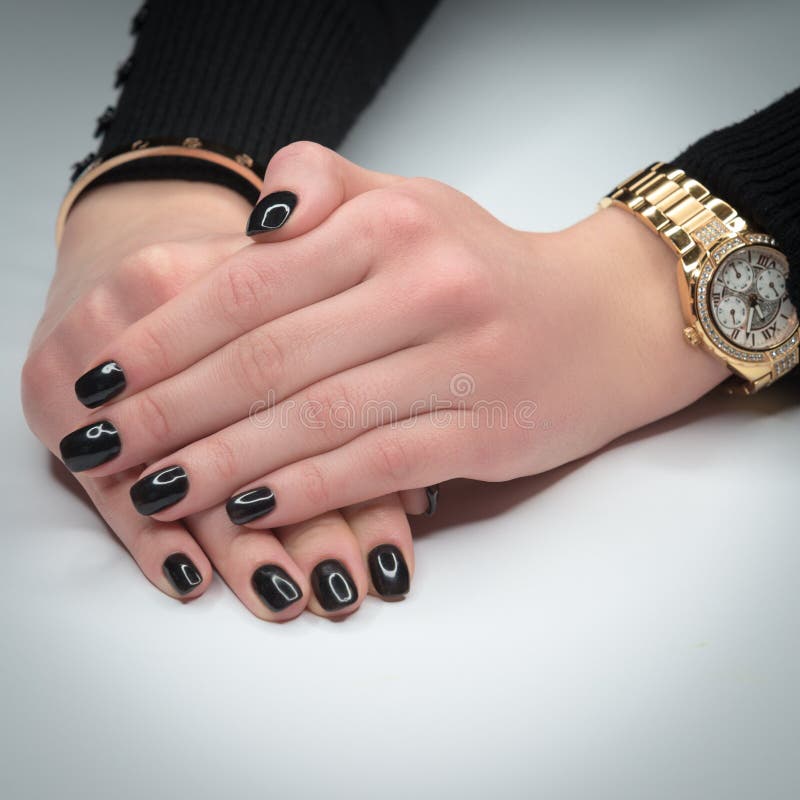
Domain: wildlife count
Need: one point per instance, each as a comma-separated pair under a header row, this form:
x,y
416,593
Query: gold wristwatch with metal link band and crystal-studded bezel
x,y
731,278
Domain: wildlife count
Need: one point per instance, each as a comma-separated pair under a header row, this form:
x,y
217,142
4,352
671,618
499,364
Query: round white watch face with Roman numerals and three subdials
x,y
748,300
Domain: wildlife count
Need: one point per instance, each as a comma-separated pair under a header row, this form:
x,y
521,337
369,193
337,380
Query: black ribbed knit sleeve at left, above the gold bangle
x,y
252,75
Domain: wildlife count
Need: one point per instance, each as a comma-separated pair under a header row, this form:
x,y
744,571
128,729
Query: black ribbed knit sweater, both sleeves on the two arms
x,y
256,74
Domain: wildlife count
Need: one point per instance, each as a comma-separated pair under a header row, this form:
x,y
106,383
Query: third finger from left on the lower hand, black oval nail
x,y
327,551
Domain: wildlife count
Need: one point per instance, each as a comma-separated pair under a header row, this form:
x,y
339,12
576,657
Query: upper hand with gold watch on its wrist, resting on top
x,y
408,339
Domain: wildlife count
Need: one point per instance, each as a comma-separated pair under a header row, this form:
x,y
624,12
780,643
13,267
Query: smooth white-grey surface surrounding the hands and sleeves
x,y
624,627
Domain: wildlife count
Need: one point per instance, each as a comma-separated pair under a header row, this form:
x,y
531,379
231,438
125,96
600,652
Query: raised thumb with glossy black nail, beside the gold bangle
x,y
304,183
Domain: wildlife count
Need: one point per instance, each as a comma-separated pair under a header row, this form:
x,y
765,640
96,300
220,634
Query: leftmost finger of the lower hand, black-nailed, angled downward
x,y
166,553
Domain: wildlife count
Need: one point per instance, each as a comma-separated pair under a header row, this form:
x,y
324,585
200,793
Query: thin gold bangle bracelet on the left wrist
x,y
191,147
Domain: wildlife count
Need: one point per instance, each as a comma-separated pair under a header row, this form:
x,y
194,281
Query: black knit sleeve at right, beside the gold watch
x,y
755,166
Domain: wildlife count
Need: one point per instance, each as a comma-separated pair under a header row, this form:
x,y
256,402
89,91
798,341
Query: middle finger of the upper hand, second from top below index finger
x,y
264,367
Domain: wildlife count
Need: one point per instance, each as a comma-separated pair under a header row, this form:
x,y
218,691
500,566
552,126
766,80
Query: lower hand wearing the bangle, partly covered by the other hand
x,y
127,249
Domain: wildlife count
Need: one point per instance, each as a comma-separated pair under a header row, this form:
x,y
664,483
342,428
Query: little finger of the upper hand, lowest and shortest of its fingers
x,y
387,459
